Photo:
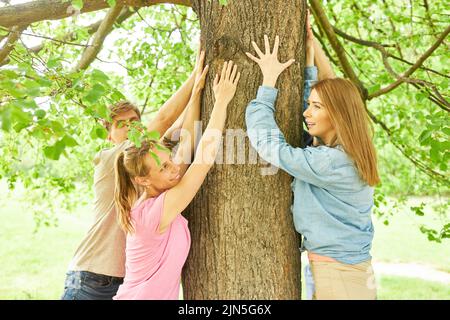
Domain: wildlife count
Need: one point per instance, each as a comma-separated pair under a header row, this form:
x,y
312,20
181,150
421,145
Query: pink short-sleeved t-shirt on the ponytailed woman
x,y
154,261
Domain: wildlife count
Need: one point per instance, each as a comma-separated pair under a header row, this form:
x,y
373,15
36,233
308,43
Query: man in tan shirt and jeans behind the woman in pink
x,y
98,266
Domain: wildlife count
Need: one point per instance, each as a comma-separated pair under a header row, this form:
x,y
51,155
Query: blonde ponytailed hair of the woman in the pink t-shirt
x,y
130,163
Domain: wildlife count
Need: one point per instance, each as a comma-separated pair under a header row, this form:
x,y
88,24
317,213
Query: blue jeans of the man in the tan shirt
x,y
84,285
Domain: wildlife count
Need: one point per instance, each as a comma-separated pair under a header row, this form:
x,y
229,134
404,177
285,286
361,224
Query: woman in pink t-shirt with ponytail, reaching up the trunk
x,y
158,238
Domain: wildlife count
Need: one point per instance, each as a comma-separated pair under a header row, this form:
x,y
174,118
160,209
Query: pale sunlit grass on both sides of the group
x,y
34,265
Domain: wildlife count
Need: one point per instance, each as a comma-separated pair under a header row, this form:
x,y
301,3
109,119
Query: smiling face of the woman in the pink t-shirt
x,y
160,177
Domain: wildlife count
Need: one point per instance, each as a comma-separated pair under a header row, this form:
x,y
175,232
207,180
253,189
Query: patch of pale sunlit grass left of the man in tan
x,y
34,265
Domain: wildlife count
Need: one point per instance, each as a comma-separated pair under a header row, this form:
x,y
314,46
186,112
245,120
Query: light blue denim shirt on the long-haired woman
x,y
332,204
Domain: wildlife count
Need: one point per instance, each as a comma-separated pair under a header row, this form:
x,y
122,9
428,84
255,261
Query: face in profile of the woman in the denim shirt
x,y
318,119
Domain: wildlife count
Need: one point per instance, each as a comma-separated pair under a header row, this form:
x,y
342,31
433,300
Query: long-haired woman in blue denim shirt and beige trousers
x,y
333,178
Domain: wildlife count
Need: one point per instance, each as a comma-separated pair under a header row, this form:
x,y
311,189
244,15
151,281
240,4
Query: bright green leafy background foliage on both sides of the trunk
x,y
49,112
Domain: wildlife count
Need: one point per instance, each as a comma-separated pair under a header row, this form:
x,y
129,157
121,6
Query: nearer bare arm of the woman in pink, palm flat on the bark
x,y
179,197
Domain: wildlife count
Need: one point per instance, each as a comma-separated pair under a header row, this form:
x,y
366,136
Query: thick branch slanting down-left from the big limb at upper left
x,y
104,29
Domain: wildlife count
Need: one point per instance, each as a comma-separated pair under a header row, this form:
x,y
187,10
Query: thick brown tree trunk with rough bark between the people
x,y
244,245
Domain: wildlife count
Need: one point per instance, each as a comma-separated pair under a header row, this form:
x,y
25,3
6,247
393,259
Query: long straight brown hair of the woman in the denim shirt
x,y
345,106
